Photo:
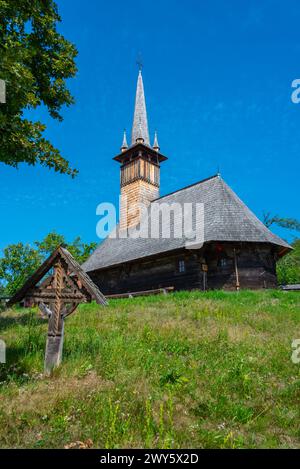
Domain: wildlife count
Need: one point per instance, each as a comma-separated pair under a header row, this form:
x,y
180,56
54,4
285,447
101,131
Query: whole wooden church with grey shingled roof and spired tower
x,y
238,250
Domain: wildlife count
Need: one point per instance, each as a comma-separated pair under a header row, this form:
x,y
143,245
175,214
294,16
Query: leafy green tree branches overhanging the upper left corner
x,y
35,62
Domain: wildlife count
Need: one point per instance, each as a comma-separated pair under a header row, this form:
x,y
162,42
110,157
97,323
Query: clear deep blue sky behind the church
x,y
217,78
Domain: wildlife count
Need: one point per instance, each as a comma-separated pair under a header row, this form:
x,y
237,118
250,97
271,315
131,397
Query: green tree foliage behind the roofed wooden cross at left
x,y
20,260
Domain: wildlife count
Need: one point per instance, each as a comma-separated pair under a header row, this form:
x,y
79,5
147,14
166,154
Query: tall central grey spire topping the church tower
x,y
140,130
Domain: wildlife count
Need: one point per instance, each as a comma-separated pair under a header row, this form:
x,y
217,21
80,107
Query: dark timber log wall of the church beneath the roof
x,y
255,262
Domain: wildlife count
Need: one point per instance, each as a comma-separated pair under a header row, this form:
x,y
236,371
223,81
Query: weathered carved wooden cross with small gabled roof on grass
x,y
57,296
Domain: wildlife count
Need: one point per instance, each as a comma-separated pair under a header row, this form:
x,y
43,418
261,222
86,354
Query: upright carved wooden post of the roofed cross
x,y
54,346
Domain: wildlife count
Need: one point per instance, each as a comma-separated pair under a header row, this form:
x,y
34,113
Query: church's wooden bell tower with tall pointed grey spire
x,y
140,164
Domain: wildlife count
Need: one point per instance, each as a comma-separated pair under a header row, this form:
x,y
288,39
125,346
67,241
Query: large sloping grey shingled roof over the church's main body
x,y
226,218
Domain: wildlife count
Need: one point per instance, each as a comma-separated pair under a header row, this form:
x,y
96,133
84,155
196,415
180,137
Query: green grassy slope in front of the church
x,y
205,370
